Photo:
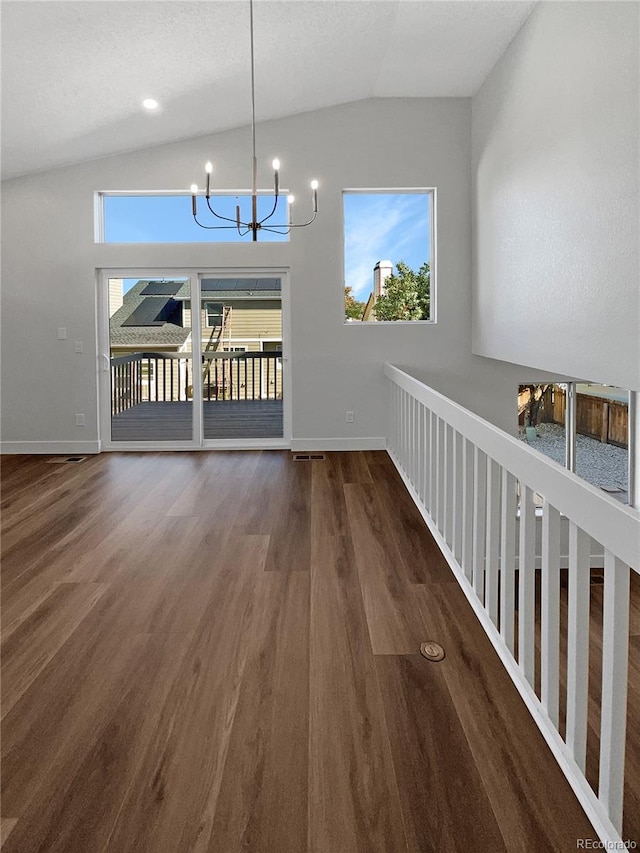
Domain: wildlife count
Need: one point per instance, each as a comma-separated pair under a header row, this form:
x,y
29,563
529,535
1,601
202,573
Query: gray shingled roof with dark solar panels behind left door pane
x,y
150,316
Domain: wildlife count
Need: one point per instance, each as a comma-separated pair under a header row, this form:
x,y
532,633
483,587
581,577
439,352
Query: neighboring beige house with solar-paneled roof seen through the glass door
x,y
236,316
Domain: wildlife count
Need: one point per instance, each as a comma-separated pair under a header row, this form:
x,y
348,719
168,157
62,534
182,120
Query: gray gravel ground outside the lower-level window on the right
x,y
603,465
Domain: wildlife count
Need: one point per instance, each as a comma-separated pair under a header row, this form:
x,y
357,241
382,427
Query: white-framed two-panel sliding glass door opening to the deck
x,y
193,360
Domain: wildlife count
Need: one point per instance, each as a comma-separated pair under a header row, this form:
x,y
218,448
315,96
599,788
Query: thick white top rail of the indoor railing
x,y
614,525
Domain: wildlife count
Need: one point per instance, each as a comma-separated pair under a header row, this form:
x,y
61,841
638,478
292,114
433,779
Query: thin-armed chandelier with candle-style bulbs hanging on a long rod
x,y
241,224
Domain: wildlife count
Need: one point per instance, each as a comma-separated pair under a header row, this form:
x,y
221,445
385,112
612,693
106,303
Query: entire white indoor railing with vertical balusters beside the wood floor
x,y
475,486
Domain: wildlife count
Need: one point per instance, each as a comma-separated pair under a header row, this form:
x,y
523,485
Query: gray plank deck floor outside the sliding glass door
x,y
221,419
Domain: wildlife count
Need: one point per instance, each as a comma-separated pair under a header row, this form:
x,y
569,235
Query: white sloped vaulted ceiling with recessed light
x,y
74,73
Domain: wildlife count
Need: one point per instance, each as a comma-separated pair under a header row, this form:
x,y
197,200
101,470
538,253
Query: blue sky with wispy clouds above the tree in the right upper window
x,y
383,226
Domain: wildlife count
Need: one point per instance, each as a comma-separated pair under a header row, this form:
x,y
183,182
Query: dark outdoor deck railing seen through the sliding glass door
x,y
143,377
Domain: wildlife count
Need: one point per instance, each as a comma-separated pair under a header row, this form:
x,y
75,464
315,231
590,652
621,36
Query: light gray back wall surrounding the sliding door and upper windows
x,y
50,261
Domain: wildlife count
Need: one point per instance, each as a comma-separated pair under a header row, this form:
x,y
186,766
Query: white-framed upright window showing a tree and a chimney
x,y
389,255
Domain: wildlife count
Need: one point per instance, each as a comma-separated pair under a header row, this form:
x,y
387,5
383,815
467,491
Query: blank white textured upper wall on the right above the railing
x,y
555,170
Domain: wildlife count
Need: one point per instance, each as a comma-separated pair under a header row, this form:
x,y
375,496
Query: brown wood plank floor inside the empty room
x,y
218,652
